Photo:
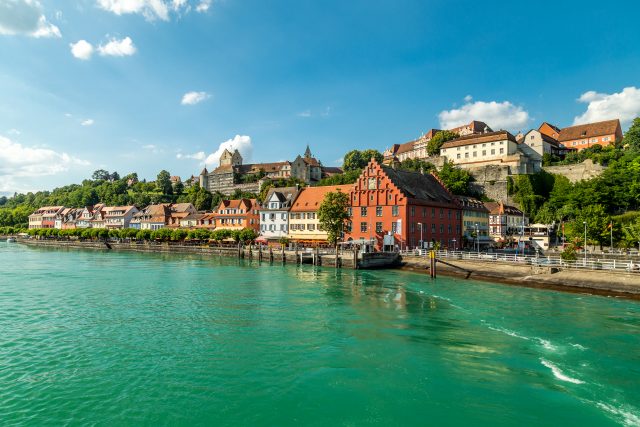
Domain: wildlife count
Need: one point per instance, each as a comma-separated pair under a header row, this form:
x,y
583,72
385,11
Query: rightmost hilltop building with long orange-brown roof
x,y
584,136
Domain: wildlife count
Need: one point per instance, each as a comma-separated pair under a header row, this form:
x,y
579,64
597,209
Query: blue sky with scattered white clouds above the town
x,y
145,85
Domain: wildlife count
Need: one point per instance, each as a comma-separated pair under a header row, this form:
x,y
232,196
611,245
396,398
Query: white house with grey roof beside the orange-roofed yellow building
x,y
274,215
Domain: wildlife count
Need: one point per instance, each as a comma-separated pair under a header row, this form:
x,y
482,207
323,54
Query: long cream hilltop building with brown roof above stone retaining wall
x,y
493,148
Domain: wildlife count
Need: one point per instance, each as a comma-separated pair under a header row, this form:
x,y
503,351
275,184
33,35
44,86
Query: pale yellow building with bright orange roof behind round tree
x,y
304,225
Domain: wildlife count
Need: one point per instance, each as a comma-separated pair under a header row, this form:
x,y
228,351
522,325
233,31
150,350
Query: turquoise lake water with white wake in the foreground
x,y
147,339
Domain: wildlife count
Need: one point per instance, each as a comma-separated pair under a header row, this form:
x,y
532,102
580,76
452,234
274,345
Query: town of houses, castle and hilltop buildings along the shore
x,y
390,206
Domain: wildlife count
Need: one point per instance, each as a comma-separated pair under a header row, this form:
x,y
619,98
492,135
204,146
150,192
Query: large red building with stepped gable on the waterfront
x,y
409,206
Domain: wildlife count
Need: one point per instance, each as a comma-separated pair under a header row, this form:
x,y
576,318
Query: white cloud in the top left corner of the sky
x,y
25,17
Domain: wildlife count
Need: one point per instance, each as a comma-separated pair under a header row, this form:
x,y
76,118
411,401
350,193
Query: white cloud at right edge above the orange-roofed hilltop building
x,y
623,105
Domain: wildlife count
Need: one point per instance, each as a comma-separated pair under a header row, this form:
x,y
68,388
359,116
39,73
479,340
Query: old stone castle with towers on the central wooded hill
x,y
232,175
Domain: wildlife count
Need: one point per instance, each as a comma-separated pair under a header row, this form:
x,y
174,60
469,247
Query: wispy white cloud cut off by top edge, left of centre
x,y
153,9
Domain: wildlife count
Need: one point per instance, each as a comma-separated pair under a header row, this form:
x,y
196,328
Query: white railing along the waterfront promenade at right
x,y
625,265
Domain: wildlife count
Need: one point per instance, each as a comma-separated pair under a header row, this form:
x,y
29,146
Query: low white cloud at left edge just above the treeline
x,y
18,162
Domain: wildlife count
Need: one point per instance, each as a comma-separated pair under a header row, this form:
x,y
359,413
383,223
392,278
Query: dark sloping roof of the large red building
x,y
419,186
